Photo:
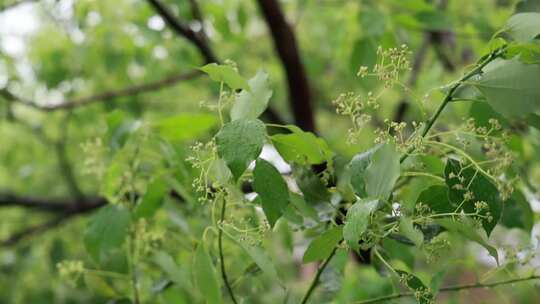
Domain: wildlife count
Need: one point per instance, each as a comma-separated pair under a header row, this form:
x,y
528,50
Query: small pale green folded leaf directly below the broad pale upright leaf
x,y
357,221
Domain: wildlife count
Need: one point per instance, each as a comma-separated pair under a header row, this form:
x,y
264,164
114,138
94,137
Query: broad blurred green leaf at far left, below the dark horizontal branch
x,y
106,231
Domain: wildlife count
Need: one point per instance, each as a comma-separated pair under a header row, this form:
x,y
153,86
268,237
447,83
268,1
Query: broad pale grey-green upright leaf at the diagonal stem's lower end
x,y
383,172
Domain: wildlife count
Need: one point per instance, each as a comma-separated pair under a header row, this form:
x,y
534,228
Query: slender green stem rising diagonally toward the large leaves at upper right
x,y
450,94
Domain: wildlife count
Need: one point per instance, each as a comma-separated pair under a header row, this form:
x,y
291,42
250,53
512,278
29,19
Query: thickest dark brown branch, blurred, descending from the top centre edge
x,y
287,49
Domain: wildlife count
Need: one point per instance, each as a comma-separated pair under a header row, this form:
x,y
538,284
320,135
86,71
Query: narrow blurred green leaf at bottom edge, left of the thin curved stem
x,y
205,276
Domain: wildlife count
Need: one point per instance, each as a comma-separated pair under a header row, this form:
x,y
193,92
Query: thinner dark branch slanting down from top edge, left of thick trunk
x,y
184,30
